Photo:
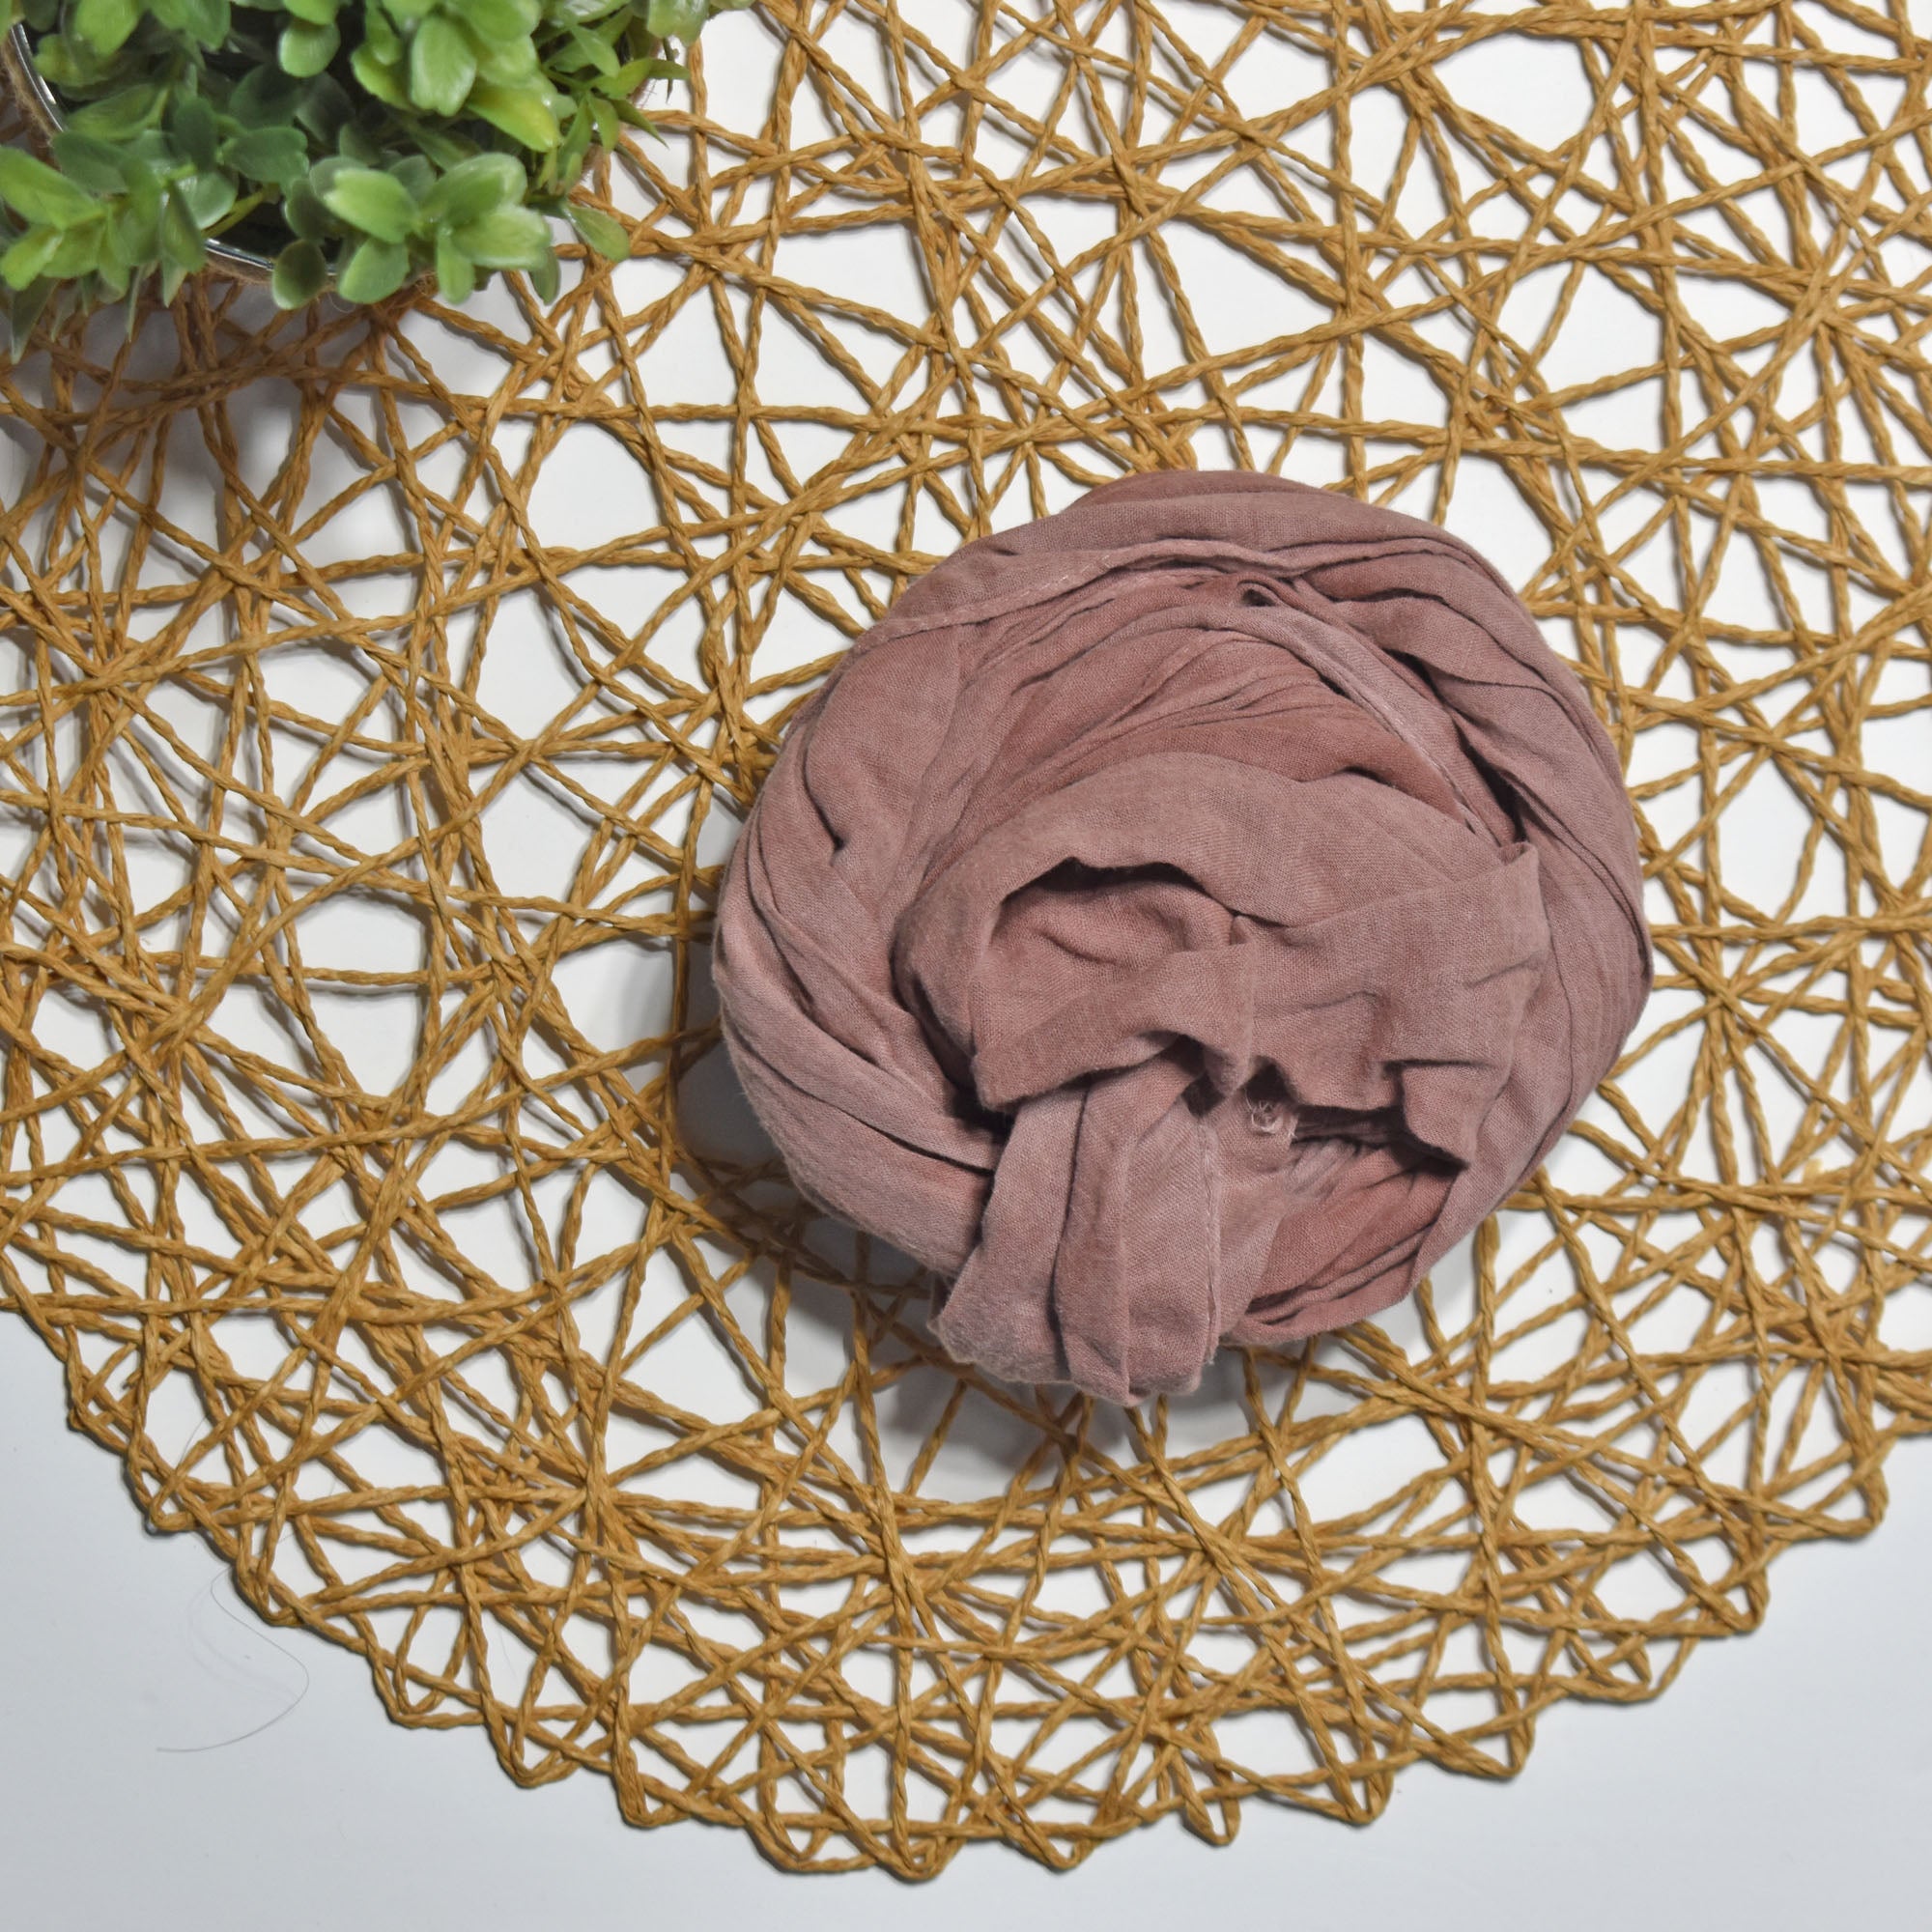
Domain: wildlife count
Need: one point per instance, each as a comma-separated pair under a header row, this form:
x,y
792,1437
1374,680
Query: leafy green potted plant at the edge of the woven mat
x,y
351,144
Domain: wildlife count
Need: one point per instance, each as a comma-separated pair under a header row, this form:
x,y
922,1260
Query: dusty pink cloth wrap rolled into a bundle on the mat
x,y
1181,921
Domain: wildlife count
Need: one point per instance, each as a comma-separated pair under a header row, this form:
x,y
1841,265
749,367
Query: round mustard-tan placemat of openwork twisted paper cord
x,y
382,695
